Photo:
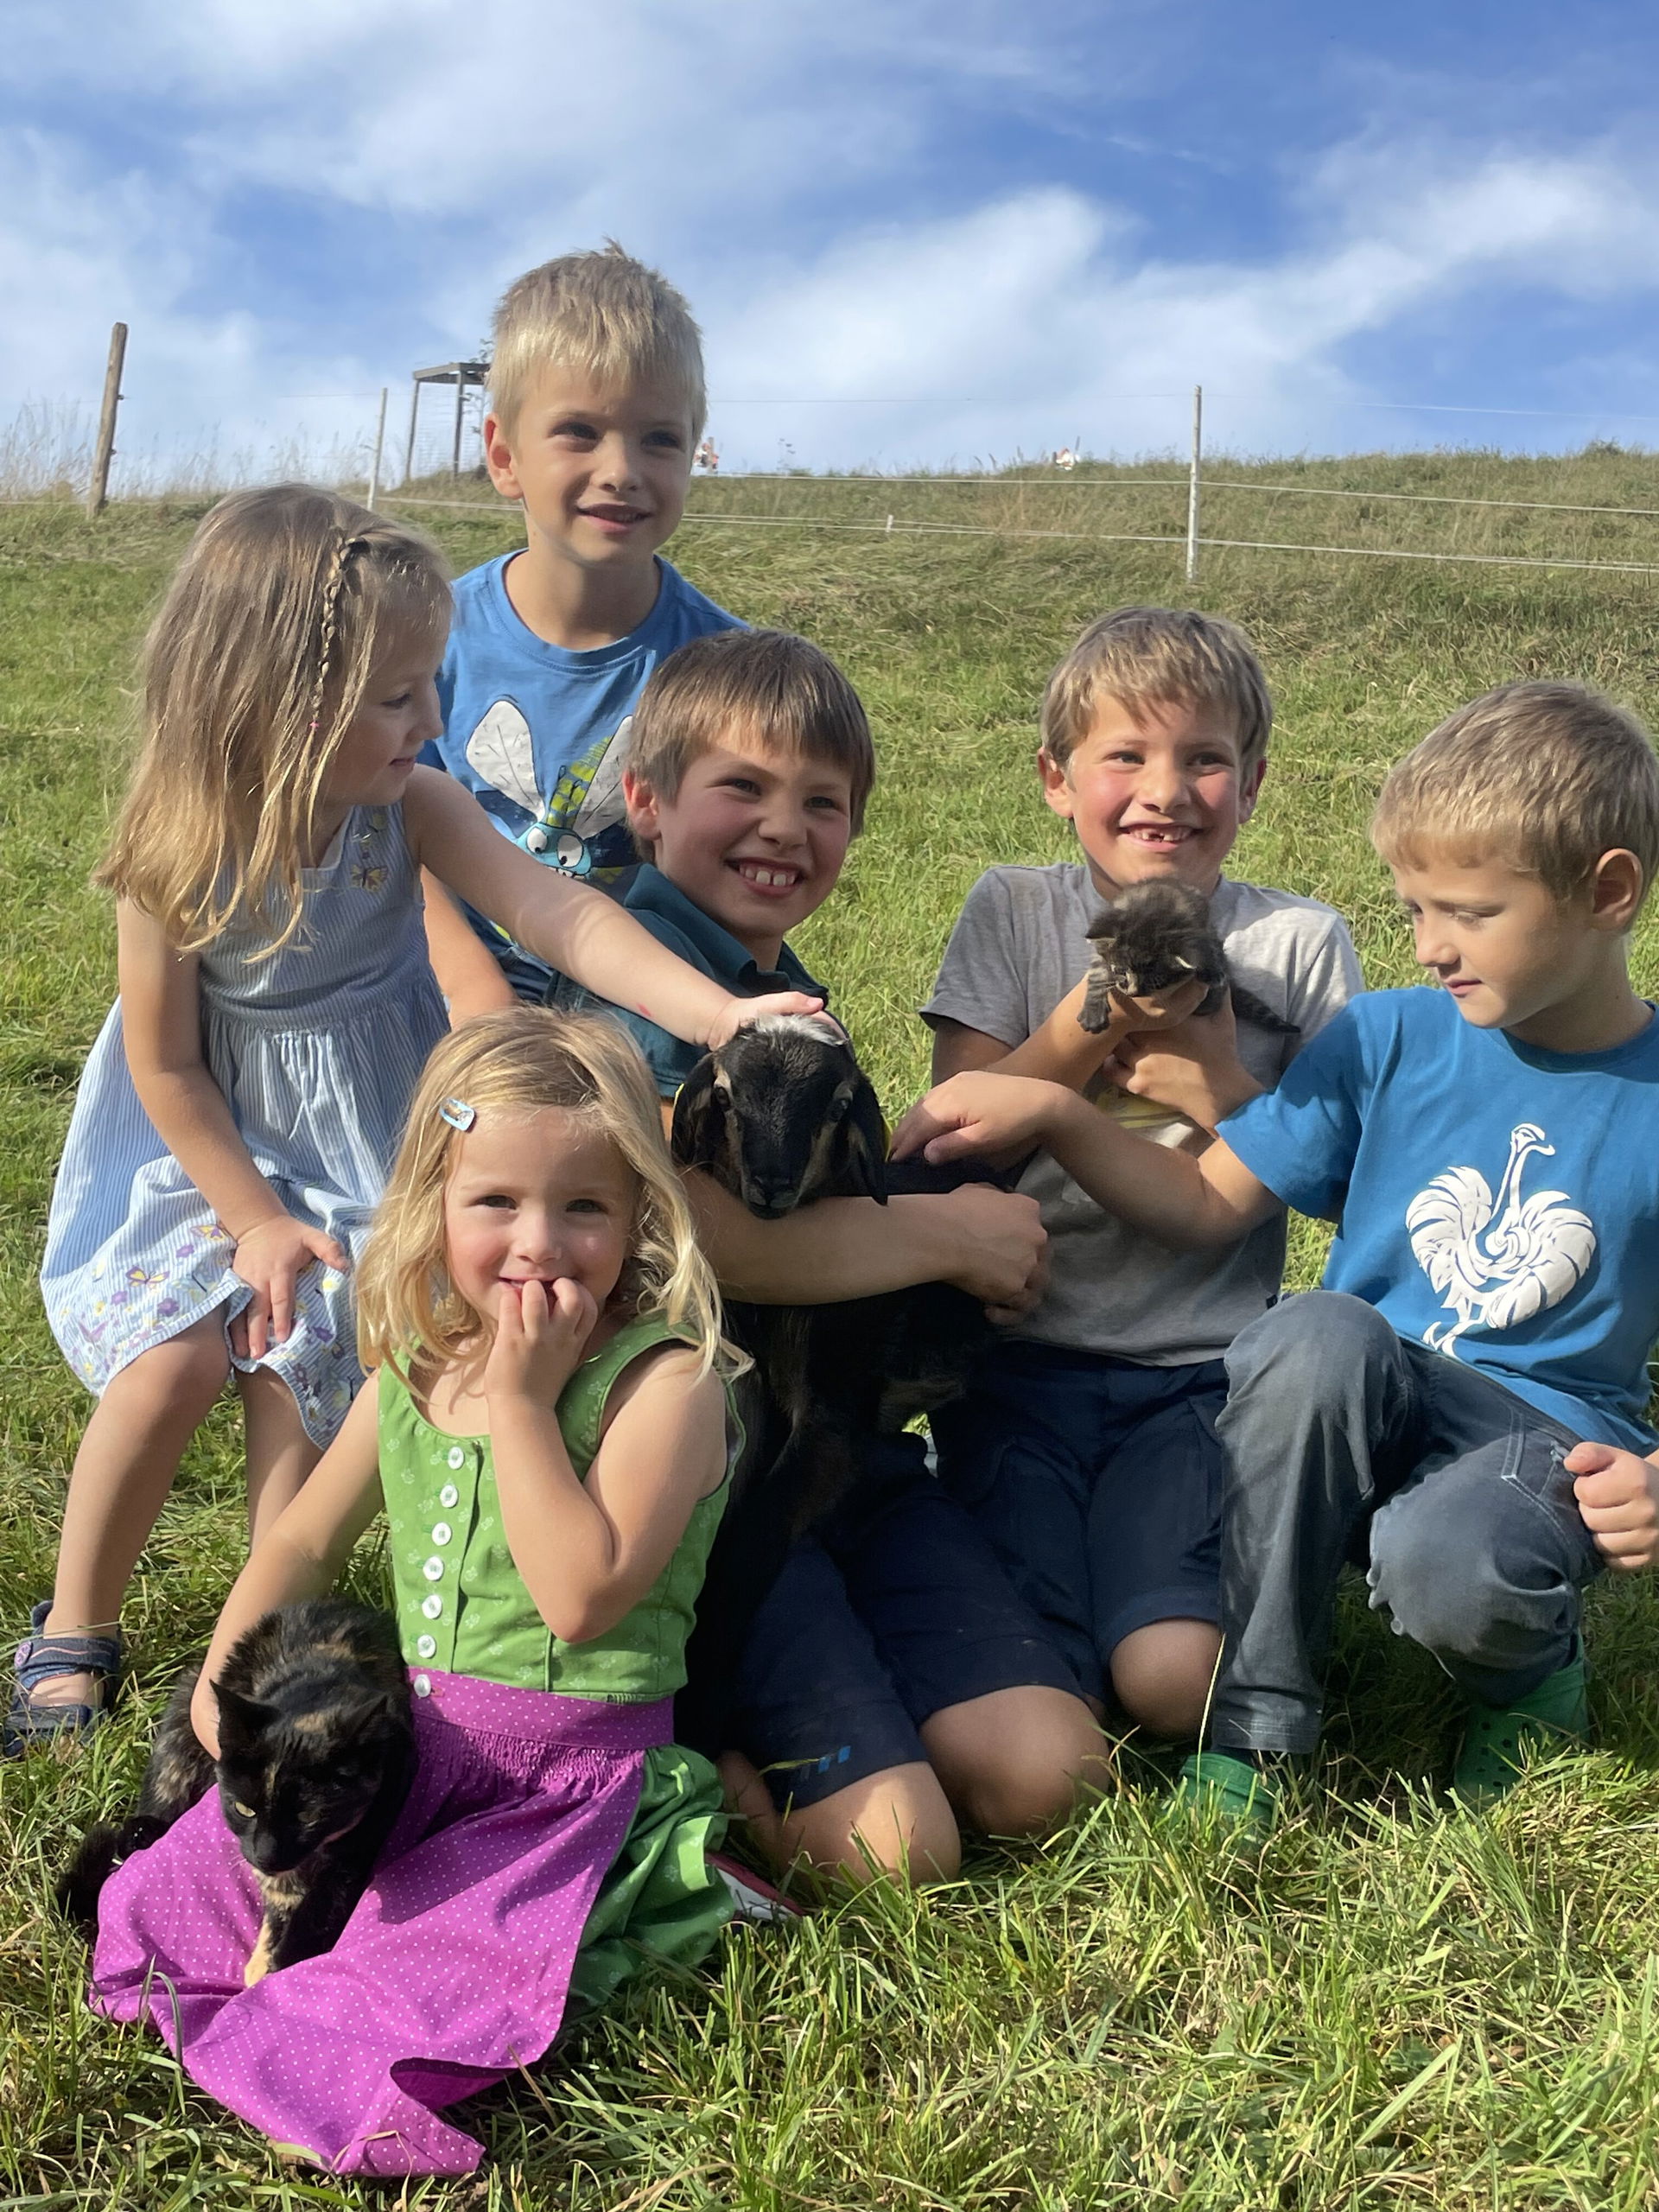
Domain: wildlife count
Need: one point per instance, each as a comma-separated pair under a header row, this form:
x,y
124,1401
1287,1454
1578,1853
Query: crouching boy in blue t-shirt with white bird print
x,y
1470,1386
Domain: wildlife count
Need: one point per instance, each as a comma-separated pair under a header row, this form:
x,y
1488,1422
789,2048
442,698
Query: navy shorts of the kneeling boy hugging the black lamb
x,y
899,1611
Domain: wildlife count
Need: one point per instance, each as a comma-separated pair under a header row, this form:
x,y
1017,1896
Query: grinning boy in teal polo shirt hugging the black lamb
x,y
895,1687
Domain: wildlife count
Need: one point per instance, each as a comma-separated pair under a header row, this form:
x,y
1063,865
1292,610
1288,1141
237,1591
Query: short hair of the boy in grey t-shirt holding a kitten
x,y
1158,656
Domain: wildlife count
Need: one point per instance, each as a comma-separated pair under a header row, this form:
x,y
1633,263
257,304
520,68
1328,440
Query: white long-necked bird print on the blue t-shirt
x,y
1499,1262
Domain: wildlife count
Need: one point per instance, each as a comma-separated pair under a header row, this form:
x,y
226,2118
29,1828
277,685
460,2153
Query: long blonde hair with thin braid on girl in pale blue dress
x,y
253,674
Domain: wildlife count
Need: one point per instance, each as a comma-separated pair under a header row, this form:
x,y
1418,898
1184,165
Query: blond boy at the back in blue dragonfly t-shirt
x,y
596,404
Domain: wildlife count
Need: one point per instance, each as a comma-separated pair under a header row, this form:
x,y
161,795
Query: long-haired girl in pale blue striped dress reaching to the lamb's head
x,y
244,1100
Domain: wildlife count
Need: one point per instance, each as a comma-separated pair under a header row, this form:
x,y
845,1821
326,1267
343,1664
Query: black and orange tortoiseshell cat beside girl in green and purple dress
x,y
315,1762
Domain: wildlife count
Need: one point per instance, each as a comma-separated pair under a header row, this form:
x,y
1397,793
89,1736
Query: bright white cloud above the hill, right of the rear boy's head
x,y
1034,322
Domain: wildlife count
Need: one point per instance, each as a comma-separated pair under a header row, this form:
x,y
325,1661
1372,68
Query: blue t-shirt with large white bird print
x,y
1496,1202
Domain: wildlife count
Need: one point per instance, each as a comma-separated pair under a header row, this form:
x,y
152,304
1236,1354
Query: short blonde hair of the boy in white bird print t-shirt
x,y
1545,778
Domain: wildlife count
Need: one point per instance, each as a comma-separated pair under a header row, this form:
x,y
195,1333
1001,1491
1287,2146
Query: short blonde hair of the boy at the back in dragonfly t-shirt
x,y
598,313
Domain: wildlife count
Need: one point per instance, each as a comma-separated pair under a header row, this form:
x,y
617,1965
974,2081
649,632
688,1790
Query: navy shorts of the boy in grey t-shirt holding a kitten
x,y
1098,1483
